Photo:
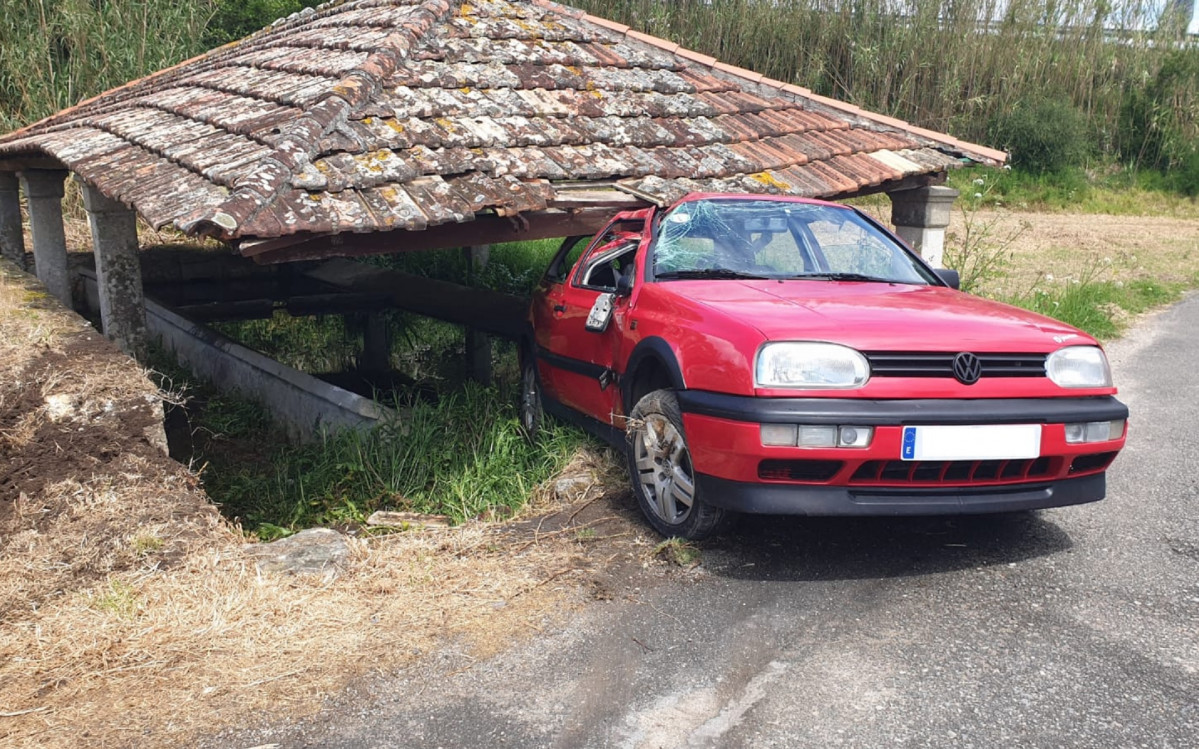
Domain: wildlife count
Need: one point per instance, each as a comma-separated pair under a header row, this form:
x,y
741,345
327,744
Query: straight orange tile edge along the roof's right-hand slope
x,y
973,149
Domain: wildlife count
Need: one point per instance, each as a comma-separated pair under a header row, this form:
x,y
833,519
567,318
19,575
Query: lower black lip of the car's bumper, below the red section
x,y
806,500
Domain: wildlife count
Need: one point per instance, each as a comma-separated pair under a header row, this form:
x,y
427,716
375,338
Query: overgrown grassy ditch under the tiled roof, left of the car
x,y
455,449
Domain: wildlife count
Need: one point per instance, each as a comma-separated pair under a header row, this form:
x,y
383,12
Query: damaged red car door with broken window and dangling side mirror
x,y
576,359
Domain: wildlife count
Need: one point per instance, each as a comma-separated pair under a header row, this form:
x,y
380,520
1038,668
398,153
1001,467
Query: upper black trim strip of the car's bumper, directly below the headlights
x,y
915,412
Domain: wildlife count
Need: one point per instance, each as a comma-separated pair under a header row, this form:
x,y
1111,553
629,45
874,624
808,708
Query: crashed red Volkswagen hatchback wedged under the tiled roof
x,y
787,357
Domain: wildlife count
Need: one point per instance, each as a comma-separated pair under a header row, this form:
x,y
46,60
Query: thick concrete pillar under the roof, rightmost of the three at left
x,y
115,237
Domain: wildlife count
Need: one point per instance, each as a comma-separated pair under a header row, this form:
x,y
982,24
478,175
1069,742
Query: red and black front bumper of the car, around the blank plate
x,y
734,470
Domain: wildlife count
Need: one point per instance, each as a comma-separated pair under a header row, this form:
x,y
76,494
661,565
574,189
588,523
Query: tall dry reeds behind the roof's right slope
x,y
927,62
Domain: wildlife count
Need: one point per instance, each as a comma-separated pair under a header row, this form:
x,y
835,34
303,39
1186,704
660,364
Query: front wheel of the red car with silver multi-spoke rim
x,y
662,474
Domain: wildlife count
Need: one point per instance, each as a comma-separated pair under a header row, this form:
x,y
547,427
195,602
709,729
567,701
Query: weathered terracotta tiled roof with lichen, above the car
x,y
372,116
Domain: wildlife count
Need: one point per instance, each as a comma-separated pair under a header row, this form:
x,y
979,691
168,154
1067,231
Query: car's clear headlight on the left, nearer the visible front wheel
x,y
811,366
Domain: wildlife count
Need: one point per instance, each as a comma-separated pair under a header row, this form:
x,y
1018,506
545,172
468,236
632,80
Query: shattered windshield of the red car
x,y
778,240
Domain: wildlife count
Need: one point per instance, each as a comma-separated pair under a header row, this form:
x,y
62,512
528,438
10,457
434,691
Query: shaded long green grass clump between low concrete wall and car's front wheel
x,y
462,457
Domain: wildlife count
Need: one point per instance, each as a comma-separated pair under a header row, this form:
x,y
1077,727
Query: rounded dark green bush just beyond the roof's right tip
x,y
1044,136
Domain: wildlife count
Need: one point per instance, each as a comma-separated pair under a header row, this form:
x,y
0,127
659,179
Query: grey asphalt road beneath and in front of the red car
x,y
1076,627
